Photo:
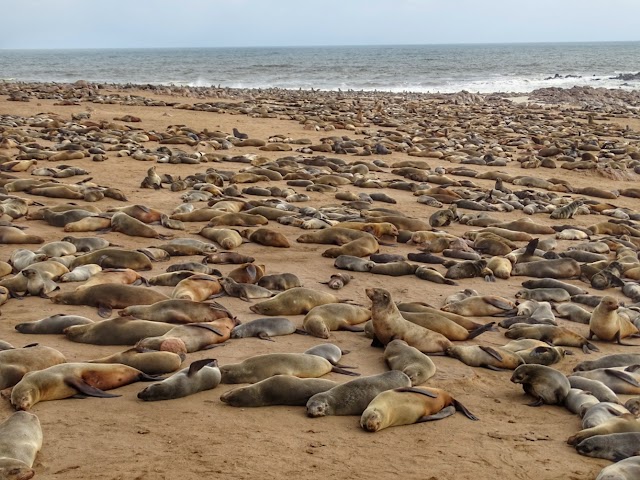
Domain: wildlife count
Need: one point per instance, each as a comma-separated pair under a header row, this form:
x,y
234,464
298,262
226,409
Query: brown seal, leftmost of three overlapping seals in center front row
x,y
277,390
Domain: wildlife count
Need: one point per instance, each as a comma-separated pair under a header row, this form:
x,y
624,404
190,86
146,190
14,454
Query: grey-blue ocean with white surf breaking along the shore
x,y
417,68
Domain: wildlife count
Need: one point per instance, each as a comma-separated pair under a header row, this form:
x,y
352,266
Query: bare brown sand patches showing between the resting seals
x,y
199,437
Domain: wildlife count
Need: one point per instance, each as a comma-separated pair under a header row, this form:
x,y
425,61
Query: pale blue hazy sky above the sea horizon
x,y
36,24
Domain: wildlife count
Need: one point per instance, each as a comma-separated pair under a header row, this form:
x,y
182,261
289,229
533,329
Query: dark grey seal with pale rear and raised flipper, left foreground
x,y
200,376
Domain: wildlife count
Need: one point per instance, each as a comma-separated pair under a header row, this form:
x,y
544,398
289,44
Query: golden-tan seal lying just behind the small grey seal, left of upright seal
x,y
295,301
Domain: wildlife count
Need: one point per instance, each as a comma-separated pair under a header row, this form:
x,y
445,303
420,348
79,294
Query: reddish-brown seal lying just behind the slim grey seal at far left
x,y
109,296
